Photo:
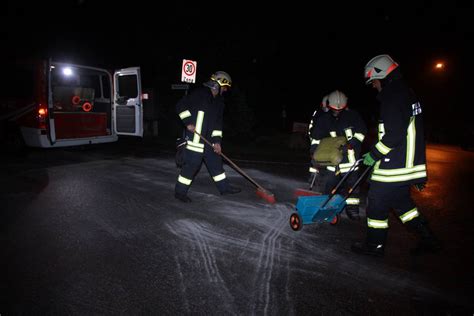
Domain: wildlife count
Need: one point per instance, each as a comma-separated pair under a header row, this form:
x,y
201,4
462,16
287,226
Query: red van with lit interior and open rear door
x,y
56,104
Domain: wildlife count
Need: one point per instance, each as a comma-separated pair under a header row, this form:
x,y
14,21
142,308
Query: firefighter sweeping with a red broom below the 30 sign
x,y
202,111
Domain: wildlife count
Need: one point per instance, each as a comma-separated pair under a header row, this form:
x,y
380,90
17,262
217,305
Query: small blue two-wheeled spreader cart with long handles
x,y
324,208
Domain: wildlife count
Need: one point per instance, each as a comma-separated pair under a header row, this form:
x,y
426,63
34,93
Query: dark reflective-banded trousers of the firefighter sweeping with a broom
x,y
192,164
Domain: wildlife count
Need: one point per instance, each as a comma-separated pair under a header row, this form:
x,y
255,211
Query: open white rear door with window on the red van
x,y
128,105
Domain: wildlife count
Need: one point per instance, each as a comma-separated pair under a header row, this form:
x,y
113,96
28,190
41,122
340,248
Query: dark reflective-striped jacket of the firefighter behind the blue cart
x,y
349,124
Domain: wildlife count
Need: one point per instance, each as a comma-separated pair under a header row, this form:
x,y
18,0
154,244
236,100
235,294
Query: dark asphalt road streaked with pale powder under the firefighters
x,y
98,231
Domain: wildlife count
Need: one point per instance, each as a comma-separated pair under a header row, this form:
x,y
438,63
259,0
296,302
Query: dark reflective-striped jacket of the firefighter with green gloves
x,y
400,150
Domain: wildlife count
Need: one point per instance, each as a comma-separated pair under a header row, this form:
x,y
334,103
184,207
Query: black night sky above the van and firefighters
x,y
282,55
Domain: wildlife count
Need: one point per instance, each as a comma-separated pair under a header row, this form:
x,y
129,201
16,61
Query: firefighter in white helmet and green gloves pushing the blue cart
x,y
398,159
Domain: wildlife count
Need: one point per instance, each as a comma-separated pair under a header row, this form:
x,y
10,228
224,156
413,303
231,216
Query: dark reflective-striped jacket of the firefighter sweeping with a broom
x,y
205,112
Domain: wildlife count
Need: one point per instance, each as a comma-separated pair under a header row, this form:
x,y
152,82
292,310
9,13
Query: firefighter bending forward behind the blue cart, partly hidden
x,y
342,121
